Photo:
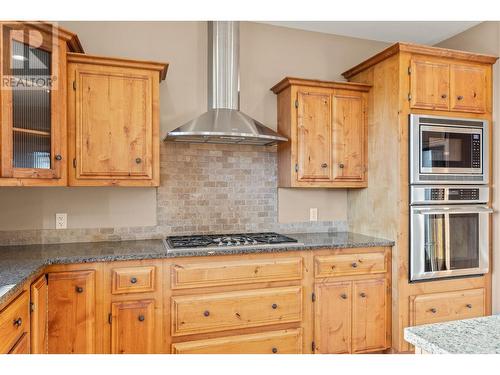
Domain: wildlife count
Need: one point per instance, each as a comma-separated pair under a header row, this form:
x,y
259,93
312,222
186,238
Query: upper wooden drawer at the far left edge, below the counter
x,y
14,321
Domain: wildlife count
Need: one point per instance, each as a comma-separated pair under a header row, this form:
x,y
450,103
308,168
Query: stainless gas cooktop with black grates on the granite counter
x,y
227,240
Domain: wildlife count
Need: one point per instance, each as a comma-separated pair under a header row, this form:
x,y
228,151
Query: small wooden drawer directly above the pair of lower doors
x,y
349,264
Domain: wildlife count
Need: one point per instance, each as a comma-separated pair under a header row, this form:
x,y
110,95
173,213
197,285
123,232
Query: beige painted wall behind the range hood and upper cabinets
x,y
268,53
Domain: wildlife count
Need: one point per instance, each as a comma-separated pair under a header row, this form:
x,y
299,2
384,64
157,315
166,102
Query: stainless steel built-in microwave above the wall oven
x,y
446,150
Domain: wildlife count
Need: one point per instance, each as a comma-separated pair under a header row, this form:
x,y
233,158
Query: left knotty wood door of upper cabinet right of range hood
x,y
314,120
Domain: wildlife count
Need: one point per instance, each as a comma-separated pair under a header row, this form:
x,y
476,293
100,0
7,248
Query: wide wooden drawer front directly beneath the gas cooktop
x,y
196,275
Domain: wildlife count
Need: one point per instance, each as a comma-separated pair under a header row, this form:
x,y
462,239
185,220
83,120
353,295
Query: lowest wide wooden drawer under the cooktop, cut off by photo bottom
x,y
275,342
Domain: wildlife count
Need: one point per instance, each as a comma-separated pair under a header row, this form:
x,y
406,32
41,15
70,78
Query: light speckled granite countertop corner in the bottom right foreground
x,y
469,336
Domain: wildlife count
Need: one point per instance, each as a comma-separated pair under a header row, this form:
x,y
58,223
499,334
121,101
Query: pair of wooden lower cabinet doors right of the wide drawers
x,y
350,316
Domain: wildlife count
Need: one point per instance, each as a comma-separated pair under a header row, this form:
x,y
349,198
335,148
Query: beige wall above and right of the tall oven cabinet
x,y
485,38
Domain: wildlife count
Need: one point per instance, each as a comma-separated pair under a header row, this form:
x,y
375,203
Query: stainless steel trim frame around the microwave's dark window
x,y
447,175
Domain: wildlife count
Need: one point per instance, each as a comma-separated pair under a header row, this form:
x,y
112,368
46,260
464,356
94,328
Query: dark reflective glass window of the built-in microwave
x,y
446,149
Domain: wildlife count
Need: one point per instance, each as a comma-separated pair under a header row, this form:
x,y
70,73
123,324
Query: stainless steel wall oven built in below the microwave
x,y
449,232
